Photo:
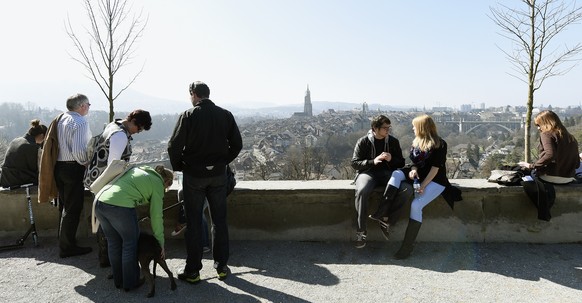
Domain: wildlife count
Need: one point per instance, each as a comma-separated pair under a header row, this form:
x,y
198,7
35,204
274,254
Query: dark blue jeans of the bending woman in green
x,y
122,231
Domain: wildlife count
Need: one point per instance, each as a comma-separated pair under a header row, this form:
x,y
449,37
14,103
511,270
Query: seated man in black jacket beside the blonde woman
x,y
376,155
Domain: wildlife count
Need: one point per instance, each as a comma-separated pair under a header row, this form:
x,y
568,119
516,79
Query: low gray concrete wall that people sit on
x,y
324,211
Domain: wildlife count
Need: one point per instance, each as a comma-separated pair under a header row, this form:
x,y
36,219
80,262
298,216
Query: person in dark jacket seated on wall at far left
x,y
21,160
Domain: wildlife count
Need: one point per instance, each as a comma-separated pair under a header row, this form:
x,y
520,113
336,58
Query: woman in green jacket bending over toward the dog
x,y
115,209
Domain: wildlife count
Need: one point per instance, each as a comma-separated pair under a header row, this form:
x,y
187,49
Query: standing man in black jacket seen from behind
x,y
206,138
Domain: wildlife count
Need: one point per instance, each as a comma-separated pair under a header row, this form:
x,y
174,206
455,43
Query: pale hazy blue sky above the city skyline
x,y
256,53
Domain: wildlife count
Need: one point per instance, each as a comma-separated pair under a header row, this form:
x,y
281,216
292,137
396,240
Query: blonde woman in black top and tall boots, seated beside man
x,y
428,155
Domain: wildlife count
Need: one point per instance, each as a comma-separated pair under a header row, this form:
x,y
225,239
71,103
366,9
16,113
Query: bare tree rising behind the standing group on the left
x,y
112,38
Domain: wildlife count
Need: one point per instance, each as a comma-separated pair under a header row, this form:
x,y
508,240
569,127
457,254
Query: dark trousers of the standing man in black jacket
x,y
196,191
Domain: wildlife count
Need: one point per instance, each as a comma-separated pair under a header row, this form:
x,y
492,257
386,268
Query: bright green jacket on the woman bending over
x,y
139,186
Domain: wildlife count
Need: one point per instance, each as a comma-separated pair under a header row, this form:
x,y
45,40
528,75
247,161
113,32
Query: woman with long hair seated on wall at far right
x,y
557,162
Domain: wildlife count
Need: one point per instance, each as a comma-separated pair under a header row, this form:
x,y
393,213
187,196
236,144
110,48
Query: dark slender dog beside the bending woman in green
x,y
149,249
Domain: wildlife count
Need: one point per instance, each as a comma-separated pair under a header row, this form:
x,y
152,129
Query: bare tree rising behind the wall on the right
x,y
531,28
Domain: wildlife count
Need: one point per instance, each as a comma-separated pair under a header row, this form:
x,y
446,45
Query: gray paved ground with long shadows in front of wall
x,y
315,272
